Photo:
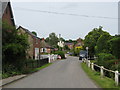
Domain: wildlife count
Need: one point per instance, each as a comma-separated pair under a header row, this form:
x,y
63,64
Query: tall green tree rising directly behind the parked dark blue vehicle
x,y
92,38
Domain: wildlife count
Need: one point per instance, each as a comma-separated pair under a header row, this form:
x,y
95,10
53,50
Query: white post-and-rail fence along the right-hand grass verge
x,y
102,70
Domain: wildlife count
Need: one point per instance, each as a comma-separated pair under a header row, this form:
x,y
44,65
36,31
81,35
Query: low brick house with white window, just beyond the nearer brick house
x,y
45,47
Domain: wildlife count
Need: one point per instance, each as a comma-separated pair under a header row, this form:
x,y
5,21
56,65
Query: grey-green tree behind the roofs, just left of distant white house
x,y
52,40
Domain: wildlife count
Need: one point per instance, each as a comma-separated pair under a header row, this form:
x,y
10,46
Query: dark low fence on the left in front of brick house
x,y
36,63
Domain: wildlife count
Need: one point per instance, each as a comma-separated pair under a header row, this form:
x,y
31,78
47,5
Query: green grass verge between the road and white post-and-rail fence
x,y
101,82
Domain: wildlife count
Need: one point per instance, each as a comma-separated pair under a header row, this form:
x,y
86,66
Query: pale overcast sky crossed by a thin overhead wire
x,y
72,20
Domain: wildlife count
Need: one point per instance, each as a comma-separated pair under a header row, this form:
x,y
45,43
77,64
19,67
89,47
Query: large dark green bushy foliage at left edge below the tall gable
x,y
14,48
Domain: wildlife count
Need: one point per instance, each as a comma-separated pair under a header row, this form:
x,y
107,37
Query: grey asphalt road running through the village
x,y
61,74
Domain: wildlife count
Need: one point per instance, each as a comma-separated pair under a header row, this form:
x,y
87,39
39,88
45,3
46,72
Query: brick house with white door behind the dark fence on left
x,y
34,43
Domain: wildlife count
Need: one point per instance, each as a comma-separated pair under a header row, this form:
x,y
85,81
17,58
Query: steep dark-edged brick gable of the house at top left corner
x,y
7,14
